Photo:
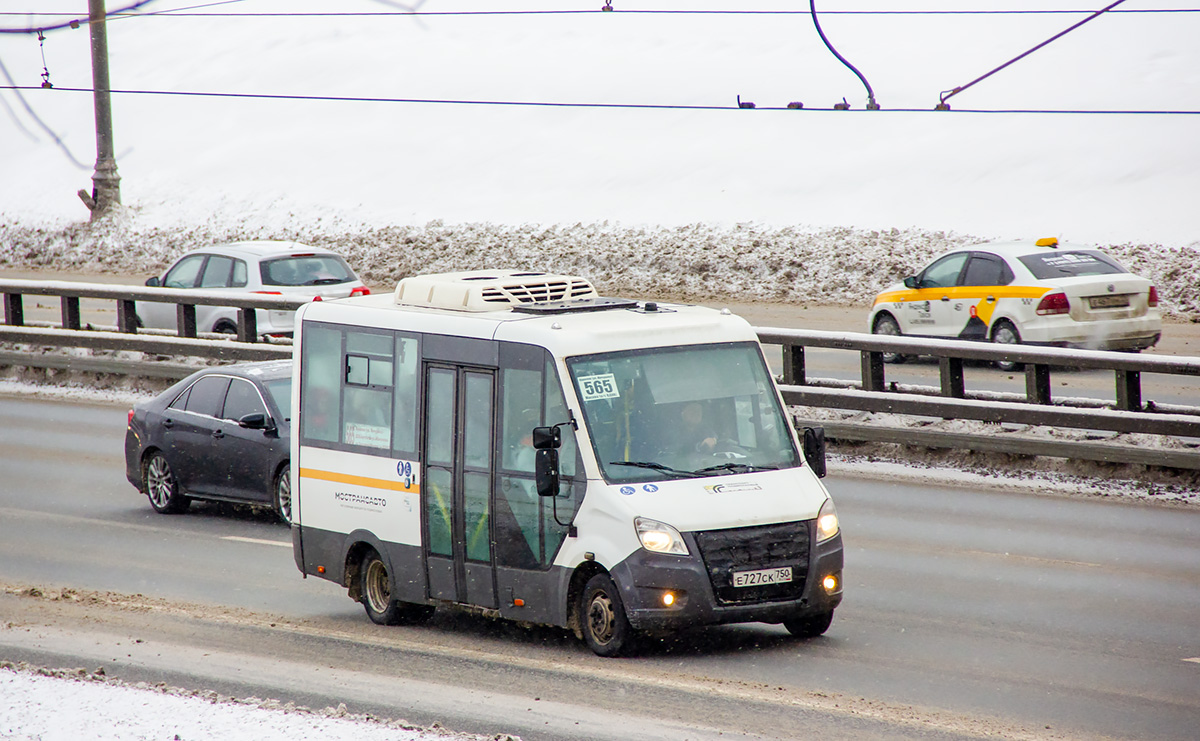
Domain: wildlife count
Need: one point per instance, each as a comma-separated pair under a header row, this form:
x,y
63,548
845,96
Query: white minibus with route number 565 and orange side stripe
x,y
514,444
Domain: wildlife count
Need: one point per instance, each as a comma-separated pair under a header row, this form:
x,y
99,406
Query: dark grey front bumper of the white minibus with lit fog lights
x,y
646,577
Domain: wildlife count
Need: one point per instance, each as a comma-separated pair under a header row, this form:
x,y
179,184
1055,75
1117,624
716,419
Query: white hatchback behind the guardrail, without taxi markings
x,y
283,269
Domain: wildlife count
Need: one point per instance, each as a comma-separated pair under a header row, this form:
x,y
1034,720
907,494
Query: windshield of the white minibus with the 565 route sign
x,y
681,413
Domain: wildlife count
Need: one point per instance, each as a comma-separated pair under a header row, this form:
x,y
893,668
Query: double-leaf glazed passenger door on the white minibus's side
x,y
458,481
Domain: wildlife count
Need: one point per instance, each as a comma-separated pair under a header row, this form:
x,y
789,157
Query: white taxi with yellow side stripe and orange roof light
x,y
1025,292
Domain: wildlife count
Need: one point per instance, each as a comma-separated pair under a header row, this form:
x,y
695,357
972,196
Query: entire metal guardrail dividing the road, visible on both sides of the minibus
x,y
1126,414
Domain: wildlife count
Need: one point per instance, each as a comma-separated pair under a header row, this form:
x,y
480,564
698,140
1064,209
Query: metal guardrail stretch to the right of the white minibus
x,y
952,401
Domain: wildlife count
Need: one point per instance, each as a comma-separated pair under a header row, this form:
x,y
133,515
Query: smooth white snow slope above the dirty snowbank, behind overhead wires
x,y
1105,179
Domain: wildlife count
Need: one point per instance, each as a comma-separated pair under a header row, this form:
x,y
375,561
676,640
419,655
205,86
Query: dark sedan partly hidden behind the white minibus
x,y
220,435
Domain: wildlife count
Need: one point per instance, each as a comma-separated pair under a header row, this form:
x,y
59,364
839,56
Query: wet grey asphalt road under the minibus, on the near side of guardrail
x,y
968,615
